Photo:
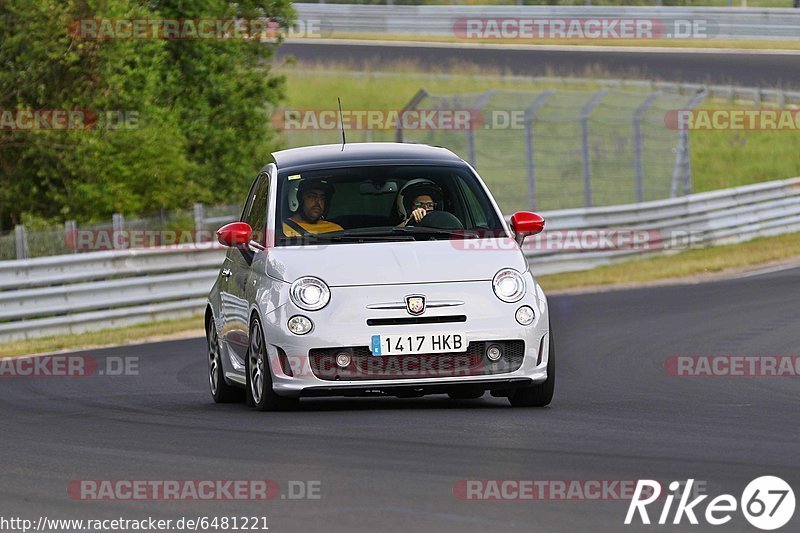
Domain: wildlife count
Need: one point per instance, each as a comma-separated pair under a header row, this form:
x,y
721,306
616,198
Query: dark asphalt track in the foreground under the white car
x,y
391,465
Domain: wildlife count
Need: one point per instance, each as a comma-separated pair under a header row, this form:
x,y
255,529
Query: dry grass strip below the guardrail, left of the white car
x,y
181,327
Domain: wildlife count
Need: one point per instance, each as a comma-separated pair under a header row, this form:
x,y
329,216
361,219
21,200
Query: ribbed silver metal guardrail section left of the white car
x,y
77,293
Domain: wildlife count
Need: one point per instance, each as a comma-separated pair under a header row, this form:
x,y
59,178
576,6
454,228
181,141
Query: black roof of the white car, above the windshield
x,y
362,153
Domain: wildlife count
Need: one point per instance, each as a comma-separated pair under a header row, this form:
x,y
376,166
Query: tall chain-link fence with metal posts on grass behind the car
x,y
548,149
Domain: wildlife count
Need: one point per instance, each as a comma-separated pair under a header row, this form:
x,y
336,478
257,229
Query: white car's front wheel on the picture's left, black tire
x,y
259,376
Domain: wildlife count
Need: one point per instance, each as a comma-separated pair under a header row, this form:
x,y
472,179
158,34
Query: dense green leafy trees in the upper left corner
x,y
200,107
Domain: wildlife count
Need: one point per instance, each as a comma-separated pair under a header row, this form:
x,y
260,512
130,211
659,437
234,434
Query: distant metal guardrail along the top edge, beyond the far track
x,y
440,20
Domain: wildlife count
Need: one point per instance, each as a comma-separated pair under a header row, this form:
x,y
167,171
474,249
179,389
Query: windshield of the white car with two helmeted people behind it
x,y
383,203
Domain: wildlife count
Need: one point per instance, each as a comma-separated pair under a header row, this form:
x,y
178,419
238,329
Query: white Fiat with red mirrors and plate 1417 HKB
x,y
376,269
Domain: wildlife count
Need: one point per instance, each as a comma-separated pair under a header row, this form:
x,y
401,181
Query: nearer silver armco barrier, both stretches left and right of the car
x,y
76,293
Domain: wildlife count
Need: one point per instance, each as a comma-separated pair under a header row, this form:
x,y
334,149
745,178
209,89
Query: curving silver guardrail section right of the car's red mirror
x,y
698,220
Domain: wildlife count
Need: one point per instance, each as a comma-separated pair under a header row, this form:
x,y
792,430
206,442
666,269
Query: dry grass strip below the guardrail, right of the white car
x,y
685,265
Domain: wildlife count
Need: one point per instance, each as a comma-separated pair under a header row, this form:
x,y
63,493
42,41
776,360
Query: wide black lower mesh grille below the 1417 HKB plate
x,y
366,366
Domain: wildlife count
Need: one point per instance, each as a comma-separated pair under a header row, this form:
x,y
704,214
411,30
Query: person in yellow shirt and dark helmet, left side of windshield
x,y
314,197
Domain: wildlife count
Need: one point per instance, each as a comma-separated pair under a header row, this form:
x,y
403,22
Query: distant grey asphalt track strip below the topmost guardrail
x,y
746,69
